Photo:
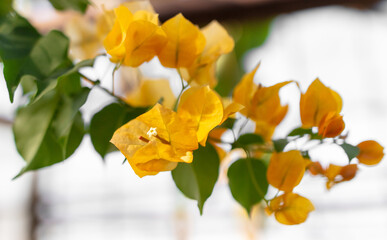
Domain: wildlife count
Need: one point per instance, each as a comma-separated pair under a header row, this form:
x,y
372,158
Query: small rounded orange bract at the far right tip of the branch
x,y
371,152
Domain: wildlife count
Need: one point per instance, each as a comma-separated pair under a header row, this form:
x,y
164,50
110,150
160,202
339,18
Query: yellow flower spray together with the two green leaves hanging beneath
x,y
179,131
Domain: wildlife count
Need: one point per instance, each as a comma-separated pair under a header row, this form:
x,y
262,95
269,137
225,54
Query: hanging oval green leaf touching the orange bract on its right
x,y
247,181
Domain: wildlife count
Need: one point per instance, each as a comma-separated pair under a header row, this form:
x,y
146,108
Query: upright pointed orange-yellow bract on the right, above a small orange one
x,y
316,102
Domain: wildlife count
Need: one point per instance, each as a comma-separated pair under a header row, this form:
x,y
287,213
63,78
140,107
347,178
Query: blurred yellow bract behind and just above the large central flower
x,y
150,92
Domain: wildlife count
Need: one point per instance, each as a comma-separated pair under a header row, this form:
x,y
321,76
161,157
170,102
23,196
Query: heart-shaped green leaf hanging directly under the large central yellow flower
x,y
197,179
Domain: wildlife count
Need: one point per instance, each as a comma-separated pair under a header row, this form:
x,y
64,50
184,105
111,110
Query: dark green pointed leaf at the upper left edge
x,y
17,38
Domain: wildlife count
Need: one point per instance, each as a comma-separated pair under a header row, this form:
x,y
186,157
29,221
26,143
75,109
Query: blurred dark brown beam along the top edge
x,y
203,11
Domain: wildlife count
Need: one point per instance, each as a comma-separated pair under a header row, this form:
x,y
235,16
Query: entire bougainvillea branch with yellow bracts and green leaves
x,y
157,131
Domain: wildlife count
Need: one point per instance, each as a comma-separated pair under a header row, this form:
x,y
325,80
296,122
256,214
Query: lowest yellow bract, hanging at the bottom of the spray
x,y
290,208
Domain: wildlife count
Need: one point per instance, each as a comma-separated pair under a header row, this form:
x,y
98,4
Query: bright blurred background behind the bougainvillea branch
x,y
342,42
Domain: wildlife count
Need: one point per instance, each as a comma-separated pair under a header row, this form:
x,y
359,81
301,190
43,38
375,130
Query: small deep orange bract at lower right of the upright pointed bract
x,y
331,125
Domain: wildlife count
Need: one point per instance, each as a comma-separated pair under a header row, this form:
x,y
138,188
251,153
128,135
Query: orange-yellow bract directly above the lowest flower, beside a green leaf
x,y
286,170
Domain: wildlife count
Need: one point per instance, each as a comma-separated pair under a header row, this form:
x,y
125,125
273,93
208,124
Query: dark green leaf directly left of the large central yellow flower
x,y
106,122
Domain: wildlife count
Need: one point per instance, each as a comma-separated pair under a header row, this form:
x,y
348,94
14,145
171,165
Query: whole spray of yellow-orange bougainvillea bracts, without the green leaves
x,y
164,136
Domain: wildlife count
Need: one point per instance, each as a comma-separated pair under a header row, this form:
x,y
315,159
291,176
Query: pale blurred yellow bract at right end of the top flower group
x,y
218,42
